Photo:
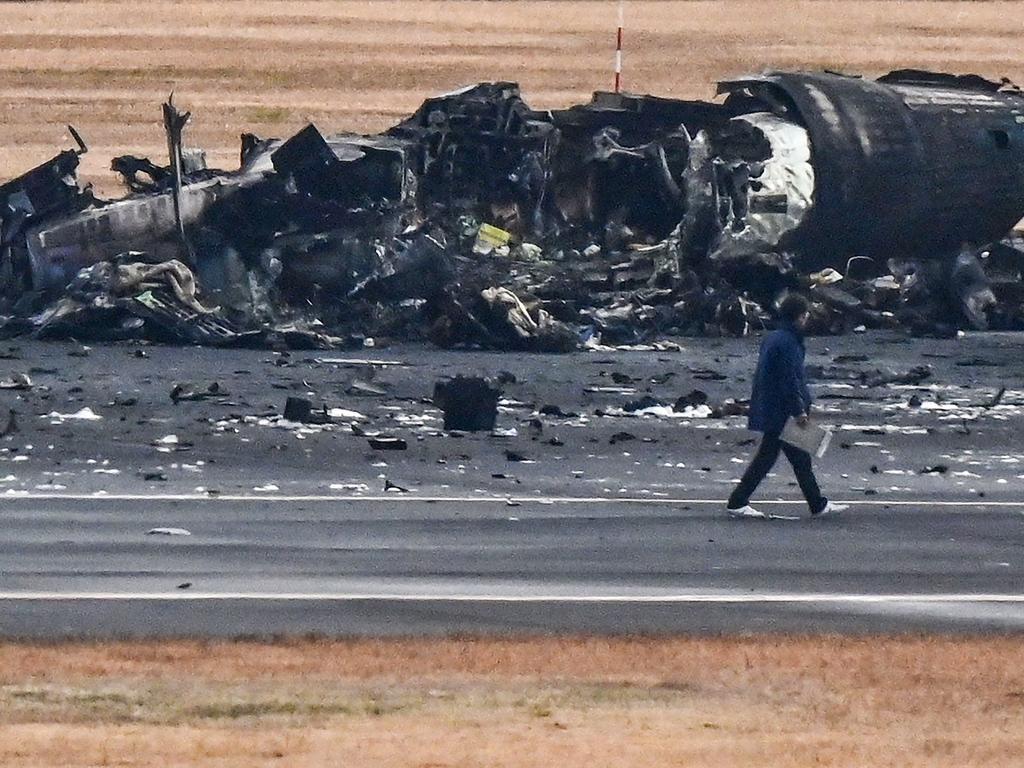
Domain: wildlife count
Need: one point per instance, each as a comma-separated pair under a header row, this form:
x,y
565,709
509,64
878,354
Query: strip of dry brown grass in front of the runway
x,y
568,702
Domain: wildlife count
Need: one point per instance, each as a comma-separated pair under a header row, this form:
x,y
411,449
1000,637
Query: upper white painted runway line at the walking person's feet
x,y
321,499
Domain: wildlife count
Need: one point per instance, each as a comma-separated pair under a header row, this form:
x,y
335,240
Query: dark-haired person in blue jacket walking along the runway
x,y
781,393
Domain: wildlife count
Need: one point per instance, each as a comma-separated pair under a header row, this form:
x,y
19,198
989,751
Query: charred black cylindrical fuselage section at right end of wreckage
x,y
914,165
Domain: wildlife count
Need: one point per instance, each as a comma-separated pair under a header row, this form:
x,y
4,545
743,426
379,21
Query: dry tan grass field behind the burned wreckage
x,y
269,67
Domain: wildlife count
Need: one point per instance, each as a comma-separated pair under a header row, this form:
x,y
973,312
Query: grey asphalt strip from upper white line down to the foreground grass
x,y
89,568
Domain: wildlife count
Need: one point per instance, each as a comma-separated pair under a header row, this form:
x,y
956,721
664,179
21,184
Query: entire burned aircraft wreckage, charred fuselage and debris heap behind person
x,y
481,222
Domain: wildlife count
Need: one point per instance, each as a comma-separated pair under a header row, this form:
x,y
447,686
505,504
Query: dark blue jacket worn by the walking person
x,y
780,390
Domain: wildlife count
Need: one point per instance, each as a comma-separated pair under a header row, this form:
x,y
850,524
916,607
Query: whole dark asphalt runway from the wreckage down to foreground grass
x,y
312,544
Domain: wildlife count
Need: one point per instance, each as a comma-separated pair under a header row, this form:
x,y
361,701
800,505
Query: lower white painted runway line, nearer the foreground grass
x,y
892,600
